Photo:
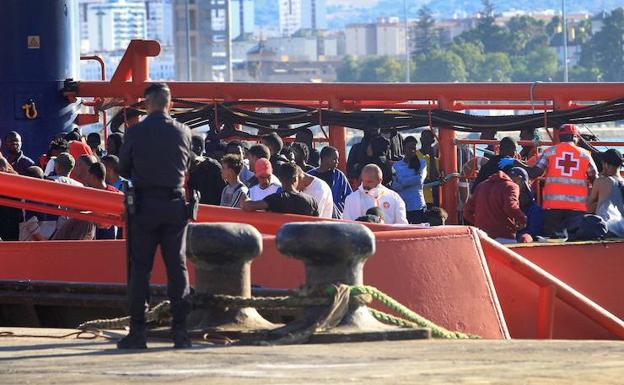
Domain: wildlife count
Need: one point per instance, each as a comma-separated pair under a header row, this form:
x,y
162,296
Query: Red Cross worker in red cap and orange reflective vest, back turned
x,y
566,168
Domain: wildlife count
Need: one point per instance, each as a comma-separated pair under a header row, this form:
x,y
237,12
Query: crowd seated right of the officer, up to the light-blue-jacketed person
x,y
283,178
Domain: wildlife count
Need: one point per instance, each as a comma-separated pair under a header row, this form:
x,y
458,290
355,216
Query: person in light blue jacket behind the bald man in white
x,y
410,175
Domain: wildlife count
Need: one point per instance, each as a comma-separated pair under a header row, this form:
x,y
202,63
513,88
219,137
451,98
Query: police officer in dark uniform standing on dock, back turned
x,y
156,156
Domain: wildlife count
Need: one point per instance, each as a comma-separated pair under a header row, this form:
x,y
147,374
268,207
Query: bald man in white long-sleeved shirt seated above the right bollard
x,y
372,193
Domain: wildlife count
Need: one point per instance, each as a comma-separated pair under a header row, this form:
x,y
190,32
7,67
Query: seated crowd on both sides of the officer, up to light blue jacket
x,y
271,176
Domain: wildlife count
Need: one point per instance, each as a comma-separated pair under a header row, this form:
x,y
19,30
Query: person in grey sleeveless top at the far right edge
x,y
606,199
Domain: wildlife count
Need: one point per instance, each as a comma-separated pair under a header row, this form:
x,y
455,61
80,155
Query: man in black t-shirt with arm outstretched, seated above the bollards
x,y
289,200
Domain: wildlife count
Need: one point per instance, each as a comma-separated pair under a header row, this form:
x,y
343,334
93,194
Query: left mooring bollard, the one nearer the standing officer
x,y
222,255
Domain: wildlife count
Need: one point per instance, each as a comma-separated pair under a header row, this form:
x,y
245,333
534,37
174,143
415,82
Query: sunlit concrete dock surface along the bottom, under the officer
x,y
45,360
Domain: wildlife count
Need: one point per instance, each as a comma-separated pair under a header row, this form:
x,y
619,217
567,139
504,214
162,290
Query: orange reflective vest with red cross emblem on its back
x,y
565,185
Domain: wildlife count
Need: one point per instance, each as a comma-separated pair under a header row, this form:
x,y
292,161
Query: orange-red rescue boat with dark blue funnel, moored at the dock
x,y
453,275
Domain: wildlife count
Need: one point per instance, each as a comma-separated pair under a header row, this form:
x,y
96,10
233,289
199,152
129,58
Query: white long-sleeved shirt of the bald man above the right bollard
x,y
359,201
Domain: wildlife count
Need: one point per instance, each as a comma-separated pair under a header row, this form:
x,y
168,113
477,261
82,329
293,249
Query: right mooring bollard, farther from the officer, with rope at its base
x,y
333,253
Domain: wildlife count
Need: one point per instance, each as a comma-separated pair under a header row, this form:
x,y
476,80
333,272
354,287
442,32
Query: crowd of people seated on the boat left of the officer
x,y
69,160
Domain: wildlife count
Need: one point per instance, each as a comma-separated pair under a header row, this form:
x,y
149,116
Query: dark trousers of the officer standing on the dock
x,y
159,222
